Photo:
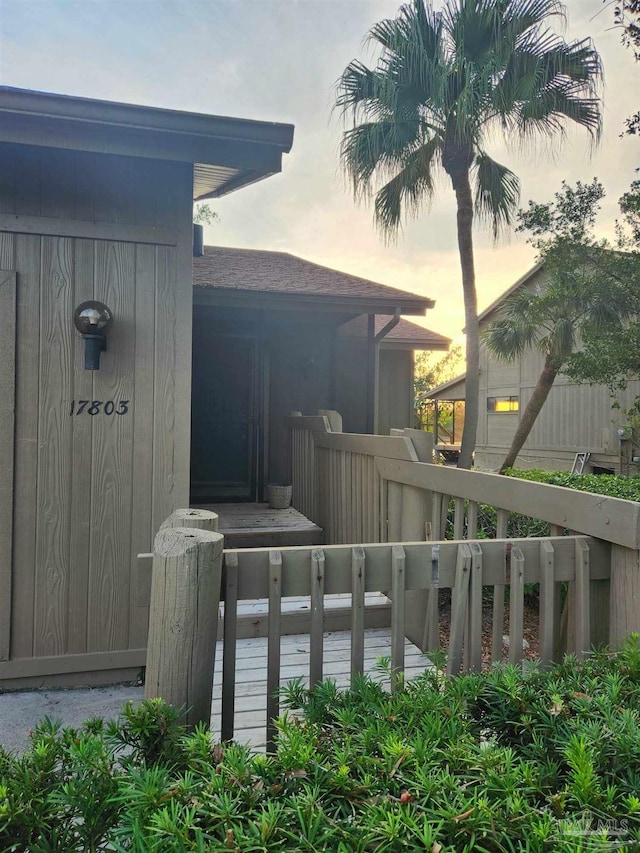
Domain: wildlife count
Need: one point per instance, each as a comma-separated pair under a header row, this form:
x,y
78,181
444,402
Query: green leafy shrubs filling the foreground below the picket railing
x,y
503,761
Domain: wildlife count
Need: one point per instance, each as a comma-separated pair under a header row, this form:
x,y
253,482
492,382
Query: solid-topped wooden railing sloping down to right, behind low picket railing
x,y
389,497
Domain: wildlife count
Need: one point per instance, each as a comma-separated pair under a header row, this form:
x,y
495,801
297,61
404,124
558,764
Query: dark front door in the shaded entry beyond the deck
x,y
223,417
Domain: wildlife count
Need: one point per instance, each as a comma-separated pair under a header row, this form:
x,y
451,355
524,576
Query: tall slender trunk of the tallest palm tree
x,y
464,200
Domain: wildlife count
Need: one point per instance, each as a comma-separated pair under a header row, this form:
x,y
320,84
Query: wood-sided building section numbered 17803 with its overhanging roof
x,y
96,203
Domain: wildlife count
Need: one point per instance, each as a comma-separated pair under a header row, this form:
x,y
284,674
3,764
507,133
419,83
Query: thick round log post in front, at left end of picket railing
x,y
183,619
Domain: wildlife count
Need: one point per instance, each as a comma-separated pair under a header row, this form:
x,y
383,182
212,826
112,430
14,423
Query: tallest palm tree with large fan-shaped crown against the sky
x,y
444,82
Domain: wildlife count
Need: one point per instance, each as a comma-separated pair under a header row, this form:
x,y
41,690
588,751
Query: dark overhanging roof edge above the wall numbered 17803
x,y
227,153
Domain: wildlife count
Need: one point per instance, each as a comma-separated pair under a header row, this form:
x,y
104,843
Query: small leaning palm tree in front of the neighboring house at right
x,y
552,321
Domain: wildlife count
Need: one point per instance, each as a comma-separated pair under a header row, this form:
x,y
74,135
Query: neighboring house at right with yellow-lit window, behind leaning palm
x,y
574,419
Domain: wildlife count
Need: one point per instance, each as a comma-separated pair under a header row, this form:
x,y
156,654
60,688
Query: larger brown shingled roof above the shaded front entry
x,y
234,273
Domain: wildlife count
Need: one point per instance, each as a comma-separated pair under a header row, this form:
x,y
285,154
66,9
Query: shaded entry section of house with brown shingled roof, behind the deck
x,y
274,333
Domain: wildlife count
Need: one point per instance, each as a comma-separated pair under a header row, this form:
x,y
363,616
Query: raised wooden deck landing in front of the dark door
x,y
254,525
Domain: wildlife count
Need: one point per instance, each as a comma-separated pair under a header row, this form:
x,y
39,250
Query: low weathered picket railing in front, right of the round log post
x,y
466,568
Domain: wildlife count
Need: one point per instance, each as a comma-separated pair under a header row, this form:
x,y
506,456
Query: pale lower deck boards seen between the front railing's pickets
x,y
251,674
